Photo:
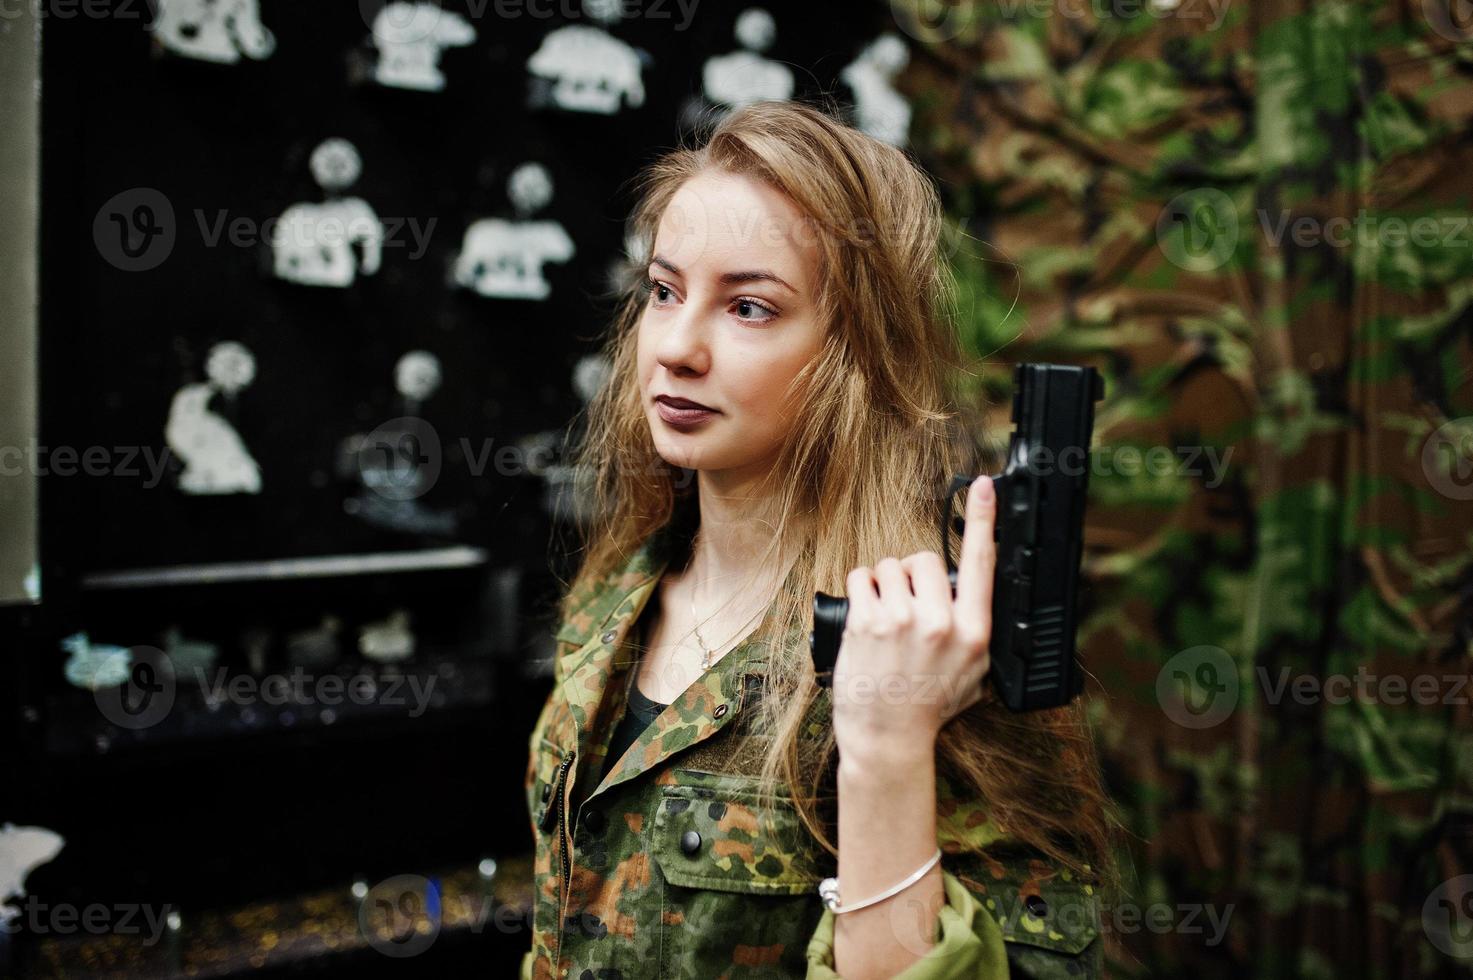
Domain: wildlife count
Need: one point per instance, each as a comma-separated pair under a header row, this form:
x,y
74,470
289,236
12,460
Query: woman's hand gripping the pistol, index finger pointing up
x,y
911,658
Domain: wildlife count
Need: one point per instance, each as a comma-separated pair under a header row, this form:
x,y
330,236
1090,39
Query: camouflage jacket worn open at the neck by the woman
x,y
668,869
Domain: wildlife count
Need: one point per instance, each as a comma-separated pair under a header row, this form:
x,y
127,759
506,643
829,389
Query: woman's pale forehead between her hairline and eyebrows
x,y
717,223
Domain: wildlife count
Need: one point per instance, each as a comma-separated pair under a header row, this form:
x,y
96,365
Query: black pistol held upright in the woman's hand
x,y
1041,540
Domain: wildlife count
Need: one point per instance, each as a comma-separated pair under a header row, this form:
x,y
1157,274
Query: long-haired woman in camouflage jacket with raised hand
x,y
690,785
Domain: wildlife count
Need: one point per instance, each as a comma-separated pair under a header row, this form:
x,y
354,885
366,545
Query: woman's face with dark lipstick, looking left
x,y
730,322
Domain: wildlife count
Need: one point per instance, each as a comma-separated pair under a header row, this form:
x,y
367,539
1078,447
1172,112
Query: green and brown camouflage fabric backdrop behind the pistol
x,y
1254,219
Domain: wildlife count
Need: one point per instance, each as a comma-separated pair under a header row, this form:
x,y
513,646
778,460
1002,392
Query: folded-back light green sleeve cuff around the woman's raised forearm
x,y
970,945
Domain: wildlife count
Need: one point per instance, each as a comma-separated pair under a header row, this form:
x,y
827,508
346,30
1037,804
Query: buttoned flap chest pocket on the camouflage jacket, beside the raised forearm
x,y
740,894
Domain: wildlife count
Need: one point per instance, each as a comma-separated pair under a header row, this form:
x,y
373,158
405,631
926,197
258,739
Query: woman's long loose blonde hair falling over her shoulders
x,y
861,478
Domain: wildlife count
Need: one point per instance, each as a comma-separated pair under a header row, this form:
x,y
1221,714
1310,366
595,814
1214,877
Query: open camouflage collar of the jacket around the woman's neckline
x,y
596,695
